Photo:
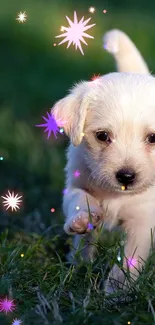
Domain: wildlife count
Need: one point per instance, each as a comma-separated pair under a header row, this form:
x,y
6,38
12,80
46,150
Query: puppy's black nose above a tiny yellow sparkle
x,y
125,176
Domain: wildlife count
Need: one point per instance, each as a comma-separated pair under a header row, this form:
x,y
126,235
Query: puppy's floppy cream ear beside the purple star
x,y
71,112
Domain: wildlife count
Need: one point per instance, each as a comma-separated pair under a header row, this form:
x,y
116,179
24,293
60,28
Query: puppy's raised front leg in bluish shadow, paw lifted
x,y
75,204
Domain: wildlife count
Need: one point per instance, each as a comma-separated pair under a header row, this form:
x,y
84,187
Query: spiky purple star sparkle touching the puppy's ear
x,y
51,125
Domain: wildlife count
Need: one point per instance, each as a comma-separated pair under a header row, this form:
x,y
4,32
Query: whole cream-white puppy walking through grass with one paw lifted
x,y
111,125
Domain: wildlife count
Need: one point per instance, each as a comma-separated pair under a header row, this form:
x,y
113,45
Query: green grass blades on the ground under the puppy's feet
x,y
48,290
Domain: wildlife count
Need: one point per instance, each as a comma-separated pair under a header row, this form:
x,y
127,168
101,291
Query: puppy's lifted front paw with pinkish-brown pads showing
x,y
81,224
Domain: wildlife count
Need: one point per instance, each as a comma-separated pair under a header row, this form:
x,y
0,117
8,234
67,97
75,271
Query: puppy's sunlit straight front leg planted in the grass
x,y
137,250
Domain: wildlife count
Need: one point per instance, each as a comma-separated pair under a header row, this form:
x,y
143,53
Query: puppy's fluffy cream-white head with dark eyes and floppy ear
x,y
117,116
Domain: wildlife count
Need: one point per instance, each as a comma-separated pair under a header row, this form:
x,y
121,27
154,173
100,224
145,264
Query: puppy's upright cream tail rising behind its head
x,y
126,55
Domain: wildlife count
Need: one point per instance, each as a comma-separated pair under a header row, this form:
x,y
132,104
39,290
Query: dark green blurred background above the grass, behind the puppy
x,y
33,75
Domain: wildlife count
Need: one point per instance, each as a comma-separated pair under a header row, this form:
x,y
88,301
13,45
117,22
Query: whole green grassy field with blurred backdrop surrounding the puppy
x,y
33,247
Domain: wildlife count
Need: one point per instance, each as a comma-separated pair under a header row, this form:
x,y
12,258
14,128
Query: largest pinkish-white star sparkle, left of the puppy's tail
x,y
75,32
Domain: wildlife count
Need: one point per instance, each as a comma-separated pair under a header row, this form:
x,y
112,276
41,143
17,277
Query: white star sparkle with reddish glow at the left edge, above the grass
x,y
11,201
